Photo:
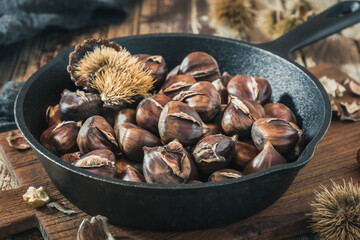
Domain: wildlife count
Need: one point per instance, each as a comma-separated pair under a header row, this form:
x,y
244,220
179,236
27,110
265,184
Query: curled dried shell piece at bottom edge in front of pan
x,y
95,229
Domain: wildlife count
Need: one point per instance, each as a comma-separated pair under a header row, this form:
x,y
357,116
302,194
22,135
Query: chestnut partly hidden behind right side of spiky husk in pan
x,y
156,64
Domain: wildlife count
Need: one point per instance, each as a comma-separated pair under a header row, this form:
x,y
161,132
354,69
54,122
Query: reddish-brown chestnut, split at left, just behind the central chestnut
x,y
203,97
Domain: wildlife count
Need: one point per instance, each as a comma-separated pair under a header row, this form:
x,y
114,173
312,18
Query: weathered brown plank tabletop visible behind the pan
x,y
21,60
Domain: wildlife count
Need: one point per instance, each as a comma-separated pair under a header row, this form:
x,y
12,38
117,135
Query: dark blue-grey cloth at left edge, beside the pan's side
x,y
7,99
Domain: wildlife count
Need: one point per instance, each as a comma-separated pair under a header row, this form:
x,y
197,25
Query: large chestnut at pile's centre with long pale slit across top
x,y
179,121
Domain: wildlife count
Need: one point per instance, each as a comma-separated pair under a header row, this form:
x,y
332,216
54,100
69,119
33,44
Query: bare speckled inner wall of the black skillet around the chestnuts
x,y
290,85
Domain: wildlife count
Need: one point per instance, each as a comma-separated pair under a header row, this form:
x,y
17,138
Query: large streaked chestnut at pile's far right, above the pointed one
x,y
282,135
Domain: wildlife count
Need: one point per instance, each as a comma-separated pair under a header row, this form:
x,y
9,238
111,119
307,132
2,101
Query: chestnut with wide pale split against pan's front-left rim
x,y
100,161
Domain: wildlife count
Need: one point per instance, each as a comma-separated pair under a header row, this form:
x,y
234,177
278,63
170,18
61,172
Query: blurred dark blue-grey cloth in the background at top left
x,y
22,19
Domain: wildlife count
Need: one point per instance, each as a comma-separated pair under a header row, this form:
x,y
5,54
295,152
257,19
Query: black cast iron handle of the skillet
x,y
332,20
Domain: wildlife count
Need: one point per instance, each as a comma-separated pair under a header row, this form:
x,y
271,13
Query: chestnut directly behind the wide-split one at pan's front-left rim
x,y
96,133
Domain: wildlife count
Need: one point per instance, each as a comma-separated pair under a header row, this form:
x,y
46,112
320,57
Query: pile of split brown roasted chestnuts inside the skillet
x,y
199,126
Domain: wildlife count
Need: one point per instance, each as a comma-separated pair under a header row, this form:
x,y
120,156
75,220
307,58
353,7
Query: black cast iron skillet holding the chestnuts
x,y
193,206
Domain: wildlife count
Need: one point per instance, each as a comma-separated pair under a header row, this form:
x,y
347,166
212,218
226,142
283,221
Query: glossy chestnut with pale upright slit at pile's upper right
x,y
251,88
